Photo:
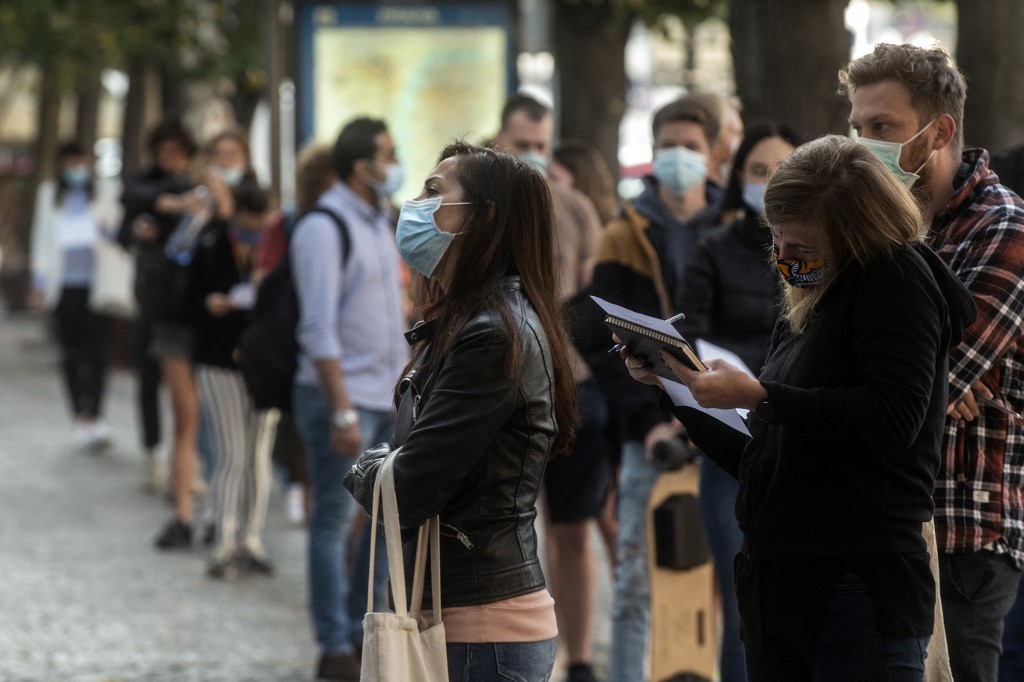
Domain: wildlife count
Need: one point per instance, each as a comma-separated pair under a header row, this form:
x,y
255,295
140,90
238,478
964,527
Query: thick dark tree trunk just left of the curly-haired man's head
x,y
787,55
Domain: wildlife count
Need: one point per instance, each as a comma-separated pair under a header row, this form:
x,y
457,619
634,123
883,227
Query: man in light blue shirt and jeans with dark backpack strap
x,y
352,353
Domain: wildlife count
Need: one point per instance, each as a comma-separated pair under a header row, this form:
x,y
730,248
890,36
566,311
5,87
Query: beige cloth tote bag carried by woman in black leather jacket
x,y
401,647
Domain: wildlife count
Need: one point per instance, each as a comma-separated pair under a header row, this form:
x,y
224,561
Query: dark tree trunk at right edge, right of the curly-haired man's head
x,y
991,53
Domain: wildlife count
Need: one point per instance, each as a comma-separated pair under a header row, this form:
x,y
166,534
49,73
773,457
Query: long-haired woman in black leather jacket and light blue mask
x,y
488,397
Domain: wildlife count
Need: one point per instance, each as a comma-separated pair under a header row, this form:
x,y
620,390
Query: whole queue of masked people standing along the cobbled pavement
x,y
874,288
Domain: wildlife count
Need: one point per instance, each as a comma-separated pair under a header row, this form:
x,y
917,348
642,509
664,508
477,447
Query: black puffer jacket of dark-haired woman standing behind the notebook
x,y
731,292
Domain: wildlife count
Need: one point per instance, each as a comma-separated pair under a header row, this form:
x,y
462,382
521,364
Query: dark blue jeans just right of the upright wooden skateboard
x,y
718,510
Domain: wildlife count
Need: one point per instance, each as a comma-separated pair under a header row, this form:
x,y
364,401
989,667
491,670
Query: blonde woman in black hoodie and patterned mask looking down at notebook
x,y
836,480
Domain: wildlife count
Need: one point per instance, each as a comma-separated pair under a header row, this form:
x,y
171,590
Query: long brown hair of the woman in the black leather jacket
x,y
508,231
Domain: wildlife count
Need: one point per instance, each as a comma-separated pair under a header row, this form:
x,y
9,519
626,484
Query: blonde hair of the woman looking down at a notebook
x,y
858,207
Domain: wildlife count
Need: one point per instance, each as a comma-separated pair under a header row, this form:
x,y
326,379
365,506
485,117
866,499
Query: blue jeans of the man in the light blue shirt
x,y
330,526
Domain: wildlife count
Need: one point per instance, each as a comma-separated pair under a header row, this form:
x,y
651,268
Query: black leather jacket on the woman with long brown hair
x,y
475,444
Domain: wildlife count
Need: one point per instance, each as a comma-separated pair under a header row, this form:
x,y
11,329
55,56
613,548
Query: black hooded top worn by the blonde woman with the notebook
x,y
842,481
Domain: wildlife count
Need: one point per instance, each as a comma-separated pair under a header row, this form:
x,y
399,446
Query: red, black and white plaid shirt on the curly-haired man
x,y
978,494
